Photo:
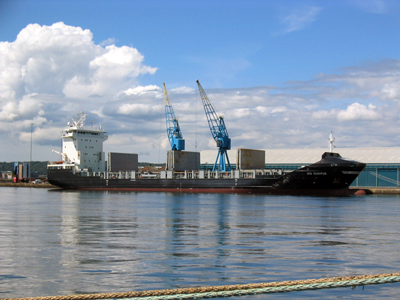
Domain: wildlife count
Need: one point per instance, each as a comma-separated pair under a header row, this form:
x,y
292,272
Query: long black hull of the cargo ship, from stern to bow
x,y
330,176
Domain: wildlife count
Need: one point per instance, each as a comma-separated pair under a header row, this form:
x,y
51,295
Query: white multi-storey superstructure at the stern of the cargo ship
x,y
83,147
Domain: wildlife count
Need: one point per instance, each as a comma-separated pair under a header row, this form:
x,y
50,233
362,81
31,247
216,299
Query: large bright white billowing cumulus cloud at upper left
x,y
62,59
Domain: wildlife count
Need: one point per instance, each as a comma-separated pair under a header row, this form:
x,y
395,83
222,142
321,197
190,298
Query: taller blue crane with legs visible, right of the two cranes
x,y
218,132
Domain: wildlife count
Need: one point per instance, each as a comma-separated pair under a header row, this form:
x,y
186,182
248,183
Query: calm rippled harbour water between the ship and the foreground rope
x,y
69,242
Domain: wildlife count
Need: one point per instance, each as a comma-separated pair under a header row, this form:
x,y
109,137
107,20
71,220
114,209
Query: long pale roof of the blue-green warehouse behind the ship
x,y
373,155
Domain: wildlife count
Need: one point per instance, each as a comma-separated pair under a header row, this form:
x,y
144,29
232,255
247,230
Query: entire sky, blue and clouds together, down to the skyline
x,y
283,73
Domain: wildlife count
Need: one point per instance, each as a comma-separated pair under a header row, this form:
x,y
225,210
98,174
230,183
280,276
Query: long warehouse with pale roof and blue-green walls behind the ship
x,y
383,163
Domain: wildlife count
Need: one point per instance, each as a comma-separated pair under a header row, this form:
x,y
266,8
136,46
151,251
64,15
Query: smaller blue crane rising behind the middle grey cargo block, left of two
x,y
173,130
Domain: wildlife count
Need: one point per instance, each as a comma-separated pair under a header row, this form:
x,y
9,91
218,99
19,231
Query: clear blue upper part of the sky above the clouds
x,y
228,44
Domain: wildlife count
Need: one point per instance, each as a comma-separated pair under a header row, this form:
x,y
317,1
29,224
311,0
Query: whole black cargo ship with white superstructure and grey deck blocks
x,y
83,167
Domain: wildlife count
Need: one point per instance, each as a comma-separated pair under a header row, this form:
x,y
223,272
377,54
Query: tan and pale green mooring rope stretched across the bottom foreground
x,y
235,290
